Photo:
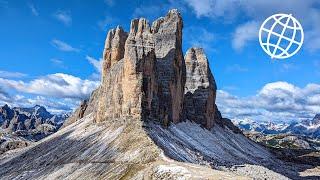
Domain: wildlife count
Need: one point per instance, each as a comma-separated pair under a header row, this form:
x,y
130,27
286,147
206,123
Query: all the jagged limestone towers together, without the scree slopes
x,y
146,77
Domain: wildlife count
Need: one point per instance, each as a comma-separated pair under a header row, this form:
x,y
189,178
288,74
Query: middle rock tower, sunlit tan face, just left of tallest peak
x,y
139,84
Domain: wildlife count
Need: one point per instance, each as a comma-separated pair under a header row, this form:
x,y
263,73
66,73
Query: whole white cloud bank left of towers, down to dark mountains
x,y
57,92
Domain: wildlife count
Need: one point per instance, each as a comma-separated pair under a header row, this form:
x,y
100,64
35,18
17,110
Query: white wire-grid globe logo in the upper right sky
x,y
281,36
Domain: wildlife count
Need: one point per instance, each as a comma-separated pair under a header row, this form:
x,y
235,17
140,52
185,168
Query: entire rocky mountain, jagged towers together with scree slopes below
x,y
153,117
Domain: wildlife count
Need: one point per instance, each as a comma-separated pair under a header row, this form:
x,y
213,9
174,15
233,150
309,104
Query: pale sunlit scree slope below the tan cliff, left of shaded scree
x,y
87,150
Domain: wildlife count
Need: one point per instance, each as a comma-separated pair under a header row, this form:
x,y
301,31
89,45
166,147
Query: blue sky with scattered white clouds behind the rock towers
x,y
47,45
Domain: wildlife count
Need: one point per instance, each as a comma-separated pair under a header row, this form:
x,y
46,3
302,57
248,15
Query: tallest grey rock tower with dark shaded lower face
x,y
170,65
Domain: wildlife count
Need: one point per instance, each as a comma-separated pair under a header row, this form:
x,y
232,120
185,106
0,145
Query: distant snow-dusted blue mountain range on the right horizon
x,y
310,128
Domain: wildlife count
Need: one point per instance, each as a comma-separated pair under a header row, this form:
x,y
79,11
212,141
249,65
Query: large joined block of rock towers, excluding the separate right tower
x,y
148,82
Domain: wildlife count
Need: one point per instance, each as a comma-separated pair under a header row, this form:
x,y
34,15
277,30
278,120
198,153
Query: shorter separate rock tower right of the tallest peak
x,y
200,89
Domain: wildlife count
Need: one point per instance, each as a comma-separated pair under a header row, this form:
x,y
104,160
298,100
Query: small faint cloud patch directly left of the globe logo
x,y
245,33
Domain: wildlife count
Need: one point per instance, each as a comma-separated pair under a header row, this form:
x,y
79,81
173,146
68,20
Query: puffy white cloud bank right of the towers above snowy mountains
x,y
277,101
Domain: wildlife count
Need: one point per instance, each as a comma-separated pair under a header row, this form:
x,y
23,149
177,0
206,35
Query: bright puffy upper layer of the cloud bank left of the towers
x,y
57,85
